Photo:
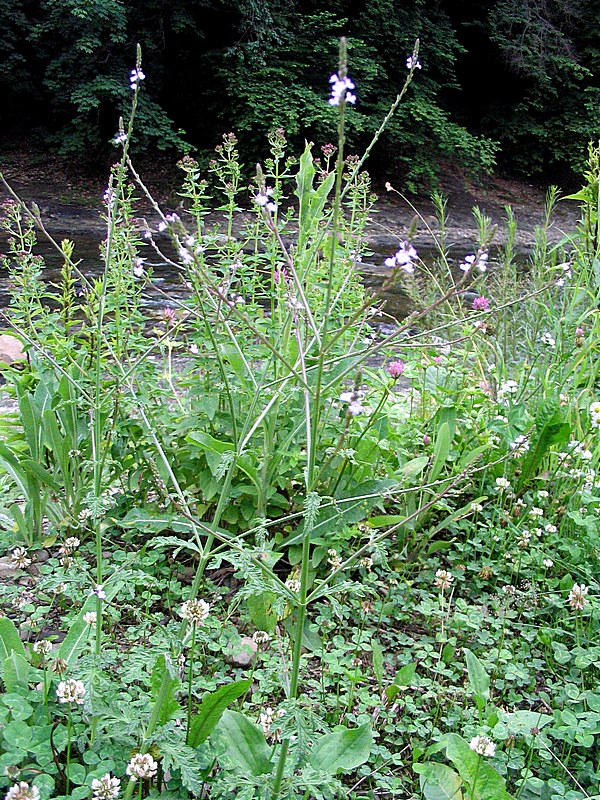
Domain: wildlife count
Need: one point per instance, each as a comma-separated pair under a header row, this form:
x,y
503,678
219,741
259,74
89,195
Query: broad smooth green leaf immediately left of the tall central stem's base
x,y
244,744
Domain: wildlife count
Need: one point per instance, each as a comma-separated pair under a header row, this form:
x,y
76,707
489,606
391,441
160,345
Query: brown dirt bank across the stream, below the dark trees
x,y
70,204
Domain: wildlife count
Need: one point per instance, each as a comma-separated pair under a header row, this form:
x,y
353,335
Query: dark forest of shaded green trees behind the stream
x,y
508,84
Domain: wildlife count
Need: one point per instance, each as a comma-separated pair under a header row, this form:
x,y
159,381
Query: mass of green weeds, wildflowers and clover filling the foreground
x,y
265,551
